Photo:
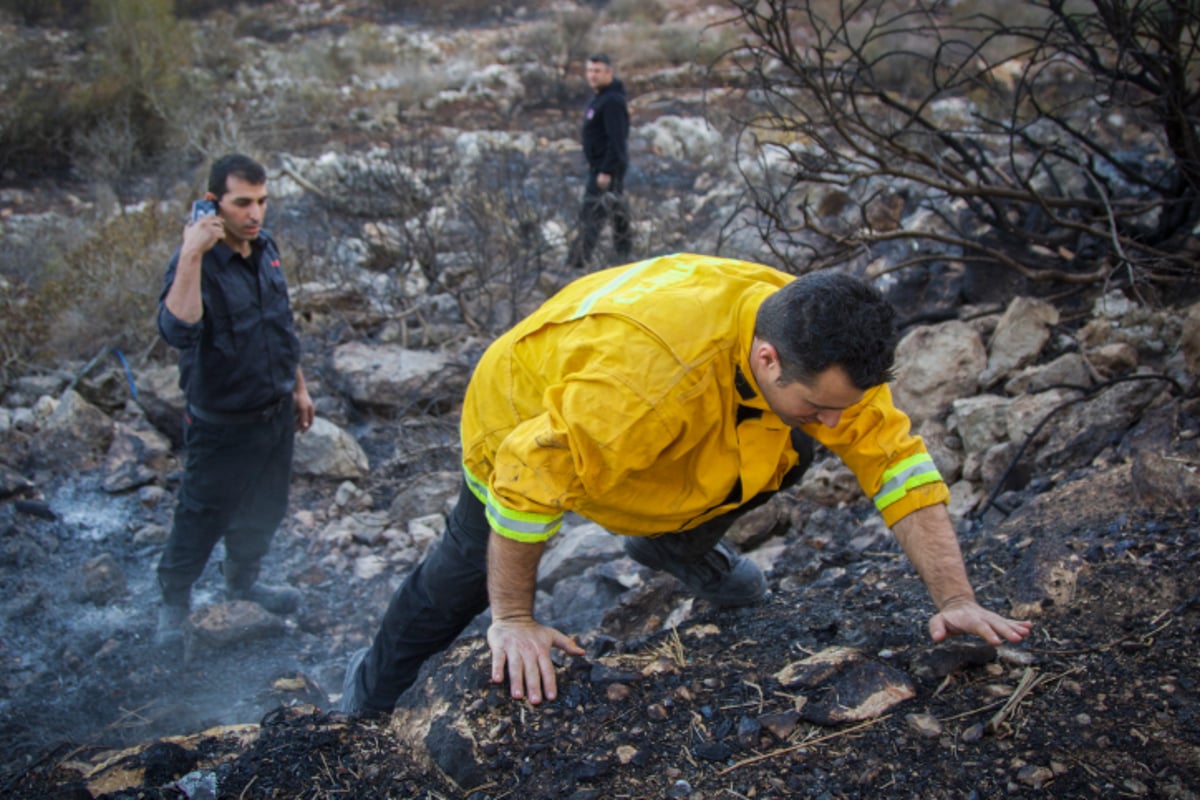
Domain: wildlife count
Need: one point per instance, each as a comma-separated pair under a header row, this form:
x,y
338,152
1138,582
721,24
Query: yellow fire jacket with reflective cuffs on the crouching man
x,y
621,400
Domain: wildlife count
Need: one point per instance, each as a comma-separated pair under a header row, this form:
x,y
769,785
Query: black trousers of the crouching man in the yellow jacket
x,y
449,588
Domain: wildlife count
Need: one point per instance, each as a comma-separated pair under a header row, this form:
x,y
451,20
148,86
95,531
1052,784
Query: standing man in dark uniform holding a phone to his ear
x,y
225,308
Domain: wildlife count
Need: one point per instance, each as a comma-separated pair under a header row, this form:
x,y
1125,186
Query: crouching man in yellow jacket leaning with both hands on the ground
x,y
662,400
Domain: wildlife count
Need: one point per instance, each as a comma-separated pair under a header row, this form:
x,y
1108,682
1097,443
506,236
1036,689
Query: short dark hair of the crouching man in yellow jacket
x,y
826,320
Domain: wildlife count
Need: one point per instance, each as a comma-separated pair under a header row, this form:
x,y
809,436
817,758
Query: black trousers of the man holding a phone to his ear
x,y
236,488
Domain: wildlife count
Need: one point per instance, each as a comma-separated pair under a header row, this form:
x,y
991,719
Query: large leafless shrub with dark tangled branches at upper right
x,y
1058,141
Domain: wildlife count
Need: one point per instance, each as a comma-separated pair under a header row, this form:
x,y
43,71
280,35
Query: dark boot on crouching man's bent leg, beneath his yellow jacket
x,y
722,576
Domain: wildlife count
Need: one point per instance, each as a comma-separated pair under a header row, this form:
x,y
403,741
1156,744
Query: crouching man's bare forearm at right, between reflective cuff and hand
x,y
929,542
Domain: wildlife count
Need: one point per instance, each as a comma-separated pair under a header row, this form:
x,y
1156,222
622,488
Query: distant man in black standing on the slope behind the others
x,y
605,147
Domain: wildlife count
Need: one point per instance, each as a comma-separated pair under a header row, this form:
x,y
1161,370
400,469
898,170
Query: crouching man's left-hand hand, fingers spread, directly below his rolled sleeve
x,y
524,646
